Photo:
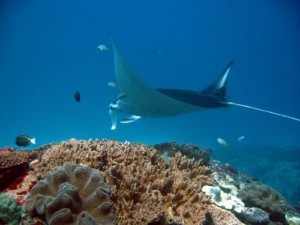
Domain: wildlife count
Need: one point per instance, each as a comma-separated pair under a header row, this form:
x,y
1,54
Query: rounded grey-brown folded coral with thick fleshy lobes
x,y
72,194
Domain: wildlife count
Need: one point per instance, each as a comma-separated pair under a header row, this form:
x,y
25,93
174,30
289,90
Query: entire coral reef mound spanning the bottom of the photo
x,y
83,178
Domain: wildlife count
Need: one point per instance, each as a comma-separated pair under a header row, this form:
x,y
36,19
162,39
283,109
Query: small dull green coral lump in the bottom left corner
x,y
10,212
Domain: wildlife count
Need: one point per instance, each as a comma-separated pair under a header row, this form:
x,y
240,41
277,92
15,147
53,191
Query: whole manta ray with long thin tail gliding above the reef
x,y
139,99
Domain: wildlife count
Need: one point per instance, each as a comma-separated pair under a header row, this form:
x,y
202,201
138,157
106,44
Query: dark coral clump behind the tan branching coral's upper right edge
x,y
189,150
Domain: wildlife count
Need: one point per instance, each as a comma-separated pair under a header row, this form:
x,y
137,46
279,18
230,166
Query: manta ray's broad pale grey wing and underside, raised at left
x,y
140,99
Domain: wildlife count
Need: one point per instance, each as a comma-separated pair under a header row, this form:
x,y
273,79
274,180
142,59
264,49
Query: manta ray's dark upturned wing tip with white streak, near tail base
x,y
218,86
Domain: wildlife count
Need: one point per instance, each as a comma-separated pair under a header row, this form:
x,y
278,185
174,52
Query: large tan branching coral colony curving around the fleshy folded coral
x,y
144,189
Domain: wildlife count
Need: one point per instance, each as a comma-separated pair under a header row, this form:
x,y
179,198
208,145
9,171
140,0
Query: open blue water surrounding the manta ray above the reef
x,y
48,51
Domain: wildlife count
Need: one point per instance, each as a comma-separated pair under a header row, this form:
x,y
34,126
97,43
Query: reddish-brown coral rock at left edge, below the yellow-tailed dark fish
x,y
13,164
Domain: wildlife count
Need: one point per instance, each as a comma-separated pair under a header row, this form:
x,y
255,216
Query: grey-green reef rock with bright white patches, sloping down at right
x,y
260,203
